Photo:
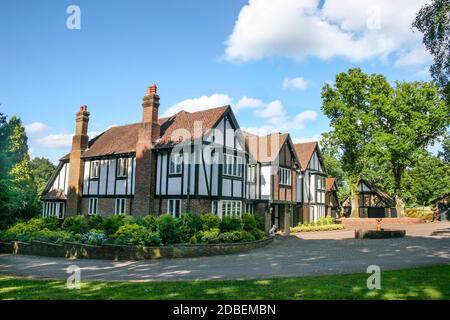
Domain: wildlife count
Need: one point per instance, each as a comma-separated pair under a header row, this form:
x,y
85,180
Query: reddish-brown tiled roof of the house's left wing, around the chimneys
x,y
123,139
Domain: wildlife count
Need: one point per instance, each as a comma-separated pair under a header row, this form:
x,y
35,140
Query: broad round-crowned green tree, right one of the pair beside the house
x,y
410,117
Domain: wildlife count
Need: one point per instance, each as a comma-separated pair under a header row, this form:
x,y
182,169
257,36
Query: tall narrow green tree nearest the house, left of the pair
x,y
346,104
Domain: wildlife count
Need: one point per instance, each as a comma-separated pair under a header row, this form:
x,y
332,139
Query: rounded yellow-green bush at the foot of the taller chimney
x,y
135,235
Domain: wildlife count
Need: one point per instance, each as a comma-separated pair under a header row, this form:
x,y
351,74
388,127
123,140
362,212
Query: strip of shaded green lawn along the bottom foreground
x,y
421,283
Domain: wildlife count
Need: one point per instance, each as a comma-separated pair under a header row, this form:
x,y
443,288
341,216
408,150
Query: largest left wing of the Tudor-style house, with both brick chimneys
x,y
189,162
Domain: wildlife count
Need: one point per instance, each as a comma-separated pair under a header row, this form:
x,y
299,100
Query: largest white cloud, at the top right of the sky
x,y
353,29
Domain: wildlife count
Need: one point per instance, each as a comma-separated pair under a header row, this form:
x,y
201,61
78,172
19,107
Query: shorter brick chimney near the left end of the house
x,y
80,143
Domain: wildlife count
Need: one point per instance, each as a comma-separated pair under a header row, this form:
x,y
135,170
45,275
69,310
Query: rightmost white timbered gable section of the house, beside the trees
x,y
311,183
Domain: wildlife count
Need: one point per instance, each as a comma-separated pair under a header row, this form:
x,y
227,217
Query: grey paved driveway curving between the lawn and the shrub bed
x,y
308,254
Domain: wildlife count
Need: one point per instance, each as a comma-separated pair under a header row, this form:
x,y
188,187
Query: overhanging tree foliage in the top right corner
x,y
433,20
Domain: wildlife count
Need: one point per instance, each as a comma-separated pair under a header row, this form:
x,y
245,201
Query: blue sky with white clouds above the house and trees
x,y
268,59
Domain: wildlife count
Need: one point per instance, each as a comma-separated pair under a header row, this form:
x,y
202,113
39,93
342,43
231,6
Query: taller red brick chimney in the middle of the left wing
x,y
145,175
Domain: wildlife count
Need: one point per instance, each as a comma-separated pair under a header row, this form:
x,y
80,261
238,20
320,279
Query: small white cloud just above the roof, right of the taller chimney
x,y
197,104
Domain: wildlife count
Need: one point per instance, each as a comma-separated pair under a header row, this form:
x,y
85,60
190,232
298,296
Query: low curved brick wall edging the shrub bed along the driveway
x,y
116,252
